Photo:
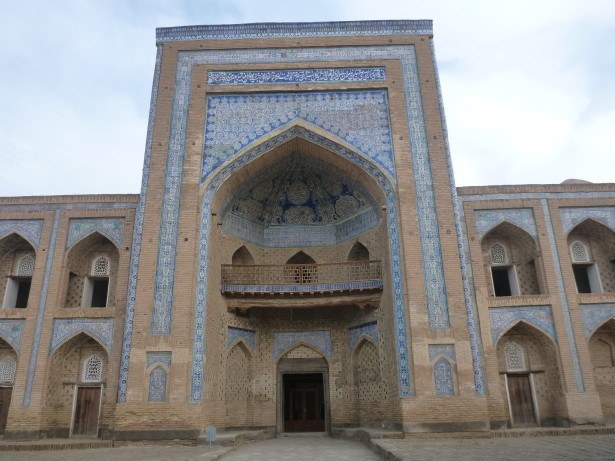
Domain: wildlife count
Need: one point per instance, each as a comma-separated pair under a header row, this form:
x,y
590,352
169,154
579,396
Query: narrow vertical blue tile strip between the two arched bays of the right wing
x,y
572,342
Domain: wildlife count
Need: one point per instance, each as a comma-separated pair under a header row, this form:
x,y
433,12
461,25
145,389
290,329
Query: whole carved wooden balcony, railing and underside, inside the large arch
x,y
352,283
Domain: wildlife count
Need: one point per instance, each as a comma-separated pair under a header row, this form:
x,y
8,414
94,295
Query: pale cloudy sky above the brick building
x,y
528,86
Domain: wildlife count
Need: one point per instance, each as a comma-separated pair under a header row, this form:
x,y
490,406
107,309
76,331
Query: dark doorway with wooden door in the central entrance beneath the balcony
x,y
304,402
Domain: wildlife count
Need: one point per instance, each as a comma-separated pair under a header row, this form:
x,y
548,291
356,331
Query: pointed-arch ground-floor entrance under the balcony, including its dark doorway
x,y
303,391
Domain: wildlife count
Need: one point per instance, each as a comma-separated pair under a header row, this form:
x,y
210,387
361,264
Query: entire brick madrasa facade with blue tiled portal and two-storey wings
x,y
300,260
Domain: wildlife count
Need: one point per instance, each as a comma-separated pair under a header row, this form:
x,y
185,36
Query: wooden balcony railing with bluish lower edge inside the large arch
x,y
301,278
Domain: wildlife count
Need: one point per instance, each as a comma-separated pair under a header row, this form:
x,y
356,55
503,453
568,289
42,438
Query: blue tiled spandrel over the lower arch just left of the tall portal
x,y
99,329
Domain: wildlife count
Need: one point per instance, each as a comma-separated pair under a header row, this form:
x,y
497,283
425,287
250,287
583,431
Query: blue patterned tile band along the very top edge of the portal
x,y
298,29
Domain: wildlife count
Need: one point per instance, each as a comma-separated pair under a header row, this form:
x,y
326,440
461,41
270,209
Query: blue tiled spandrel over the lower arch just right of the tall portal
x,y
503,318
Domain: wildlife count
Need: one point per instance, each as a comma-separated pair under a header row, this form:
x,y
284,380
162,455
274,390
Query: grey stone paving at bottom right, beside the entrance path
x,y
564,448
